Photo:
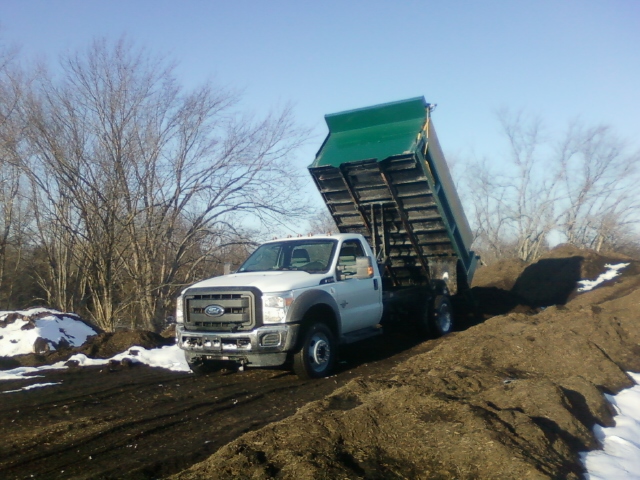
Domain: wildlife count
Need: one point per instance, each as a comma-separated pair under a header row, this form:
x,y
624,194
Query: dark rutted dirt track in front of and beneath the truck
x,y
149,423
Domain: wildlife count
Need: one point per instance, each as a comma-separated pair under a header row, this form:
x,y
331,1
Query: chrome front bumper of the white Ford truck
x,y
261,347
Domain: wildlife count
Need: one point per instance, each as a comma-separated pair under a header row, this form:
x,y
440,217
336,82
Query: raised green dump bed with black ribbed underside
x,y
382,174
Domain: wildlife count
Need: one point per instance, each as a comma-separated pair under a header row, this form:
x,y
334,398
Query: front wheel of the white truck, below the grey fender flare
x,y
317,353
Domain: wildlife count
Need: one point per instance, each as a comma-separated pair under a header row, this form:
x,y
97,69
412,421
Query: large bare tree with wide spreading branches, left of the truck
x,y
155,178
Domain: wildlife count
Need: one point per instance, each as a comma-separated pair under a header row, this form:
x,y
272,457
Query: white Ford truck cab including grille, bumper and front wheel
x,y
293,300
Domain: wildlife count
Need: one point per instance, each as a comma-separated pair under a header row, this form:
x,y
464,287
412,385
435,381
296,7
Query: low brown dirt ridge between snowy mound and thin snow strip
x,y
104,345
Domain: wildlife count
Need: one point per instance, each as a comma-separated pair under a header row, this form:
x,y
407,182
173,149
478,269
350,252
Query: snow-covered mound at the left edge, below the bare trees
x,y
54,328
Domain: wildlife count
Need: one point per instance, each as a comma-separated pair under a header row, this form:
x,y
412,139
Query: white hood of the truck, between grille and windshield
x,y
265,281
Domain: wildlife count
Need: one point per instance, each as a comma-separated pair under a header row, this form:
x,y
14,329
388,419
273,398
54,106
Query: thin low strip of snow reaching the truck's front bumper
x,y
171,358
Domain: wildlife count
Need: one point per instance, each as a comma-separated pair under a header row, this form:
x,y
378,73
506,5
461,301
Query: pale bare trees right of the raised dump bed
x,y
581,186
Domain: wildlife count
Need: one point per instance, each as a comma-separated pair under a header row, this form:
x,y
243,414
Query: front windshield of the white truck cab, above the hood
x,y
312,256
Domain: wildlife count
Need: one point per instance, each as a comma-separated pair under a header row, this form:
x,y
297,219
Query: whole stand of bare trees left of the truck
x,y
118,187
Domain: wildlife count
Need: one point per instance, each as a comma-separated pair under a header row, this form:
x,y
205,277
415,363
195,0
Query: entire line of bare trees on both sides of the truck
x,y
118,186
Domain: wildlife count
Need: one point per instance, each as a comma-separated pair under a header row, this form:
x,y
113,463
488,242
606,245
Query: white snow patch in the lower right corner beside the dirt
x,y
620,454
